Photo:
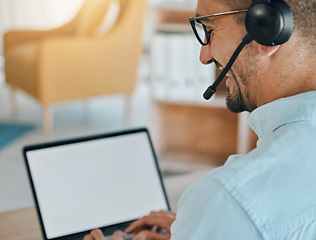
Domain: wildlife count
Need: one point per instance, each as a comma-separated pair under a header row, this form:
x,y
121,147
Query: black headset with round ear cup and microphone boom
x,y
269,23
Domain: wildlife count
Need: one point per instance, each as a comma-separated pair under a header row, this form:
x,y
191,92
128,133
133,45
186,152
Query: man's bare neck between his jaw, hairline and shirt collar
x,y
288,74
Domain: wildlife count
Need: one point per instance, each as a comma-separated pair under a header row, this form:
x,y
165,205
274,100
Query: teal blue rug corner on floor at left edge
x,y
9,132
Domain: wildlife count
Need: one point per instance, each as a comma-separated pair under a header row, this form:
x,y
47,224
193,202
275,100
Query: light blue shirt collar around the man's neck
x,y
269,117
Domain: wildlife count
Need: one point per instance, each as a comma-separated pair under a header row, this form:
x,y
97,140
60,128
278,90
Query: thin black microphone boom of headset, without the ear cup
x,y
212,89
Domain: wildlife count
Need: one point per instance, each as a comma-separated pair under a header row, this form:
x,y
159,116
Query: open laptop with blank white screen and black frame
x,y
105,181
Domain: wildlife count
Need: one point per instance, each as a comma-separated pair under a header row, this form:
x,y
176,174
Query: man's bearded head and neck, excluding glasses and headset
x,y
260,74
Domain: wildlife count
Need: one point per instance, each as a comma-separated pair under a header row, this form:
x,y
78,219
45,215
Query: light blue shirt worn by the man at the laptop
x,y
269,193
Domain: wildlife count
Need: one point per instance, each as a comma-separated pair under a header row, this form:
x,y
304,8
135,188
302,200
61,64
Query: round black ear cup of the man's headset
x,y
270,23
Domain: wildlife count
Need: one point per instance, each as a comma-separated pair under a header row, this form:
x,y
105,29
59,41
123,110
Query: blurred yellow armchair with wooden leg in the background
x,y
97,53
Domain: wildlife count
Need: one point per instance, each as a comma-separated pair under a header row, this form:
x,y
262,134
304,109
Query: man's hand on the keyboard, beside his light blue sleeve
x,y
148,227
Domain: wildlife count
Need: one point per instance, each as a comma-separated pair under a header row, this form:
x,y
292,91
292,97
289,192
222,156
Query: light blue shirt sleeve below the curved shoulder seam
x,y
207,211
